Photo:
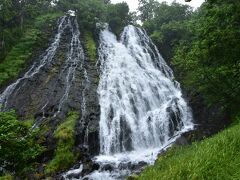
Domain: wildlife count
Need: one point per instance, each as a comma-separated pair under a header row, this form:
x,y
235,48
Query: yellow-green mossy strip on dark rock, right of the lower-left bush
x,y
64,156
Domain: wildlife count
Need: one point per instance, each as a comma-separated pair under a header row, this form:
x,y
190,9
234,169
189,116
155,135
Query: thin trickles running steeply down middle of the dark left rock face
x,y
75,61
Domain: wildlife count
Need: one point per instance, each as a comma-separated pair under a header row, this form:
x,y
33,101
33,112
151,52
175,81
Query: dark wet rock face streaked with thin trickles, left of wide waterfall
x,y
61,79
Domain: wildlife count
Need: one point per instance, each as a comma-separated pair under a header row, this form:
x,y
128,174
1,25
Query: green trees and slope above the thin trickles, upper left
x,y
22,25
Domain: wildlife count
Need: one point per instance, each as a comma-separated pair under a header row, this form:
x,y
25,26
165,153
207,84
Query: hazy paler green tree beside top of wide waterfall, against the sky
x,y
166,24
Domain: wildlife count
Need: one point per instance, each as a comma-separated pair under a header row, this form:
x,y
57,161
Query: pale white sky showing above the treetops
x,y
133,4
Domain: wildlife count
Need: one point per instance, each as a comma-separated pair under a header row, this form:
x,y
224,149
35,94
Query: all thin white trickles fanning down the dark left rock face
x,y
75,60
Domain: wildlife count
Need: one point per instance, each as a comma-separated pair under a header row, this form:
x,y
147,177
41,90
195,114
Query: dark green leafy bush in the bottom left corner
x,y
18,149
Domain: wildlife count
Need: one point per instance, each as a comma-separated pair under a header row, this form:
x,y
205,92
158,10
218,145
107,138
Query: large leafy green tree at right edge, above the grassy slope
x,y
210,60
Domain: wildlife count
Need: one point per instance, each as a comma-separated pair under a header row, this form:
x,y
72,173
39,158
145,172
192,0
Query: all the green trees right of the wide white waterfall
x,y
202,46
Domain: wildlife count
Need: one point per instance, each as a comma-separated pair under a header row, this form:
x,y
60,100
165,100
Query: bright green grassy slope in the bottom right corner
x,y
217,157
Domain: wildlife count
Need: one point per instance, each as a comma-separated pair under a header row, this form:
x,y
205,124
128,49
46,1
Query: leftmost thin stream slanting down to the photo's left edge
x,y
35,68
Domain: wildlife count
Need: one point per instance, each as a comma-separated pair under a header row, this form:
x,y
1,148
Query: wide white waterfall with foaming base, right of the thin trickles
x,y
142,109
